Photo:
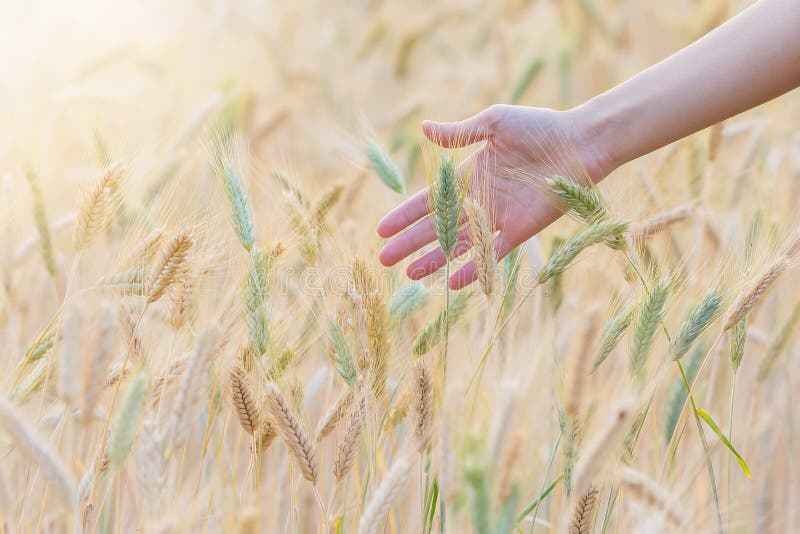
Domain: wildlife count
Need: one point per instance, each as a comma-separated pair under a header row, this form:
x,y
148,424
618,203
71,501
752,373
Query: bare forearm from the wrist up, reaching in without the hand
x,y
747,61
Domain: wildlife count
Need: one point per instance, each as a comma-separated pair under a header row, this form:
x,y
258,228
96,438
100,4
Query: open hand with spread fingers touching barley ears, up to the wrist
x,y
522,147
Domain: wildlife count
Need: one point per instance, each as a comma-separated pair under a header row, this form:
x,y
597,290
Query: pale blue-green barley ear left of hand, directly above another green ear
x,y
230,178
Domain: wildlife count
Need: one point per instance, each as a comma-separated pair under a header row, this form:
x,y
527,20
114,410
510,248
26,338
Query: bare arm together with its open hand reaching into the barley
x,y
749,60
